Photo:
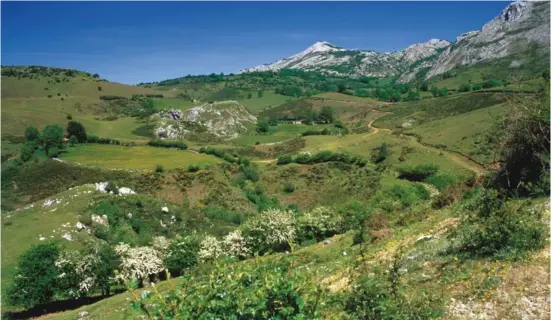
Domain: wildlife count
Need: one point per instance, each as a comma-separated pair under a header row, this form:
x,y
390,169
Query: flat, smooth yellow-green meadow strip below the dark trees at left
x,y
139,157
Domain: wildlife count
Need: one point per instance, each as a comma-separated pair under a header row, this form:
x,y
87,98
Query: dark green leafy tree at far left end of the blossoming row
x,y
36,281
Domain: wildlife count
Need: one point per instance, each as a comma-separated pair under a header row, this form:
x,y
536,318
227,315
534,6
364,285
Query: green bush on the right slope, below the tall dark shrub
x,y
497,227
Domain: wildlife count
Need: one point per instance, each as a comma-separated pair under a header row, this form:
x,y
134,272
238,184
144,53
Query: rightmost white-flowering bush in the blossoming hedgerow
x,y
318,224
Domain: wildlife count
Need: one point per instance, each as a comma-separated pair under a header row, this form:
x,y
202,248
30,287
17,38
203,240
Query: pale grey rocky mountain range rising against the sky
x,y
518,26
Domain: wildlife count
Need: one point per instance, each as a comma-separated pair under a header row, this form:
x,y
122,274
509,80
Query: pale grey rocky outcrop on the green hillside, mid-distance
x,y
223,119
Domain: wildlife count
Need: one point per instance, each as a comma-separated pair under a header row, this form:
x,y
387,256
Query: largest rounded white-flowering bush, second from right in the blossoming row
x,y
273,229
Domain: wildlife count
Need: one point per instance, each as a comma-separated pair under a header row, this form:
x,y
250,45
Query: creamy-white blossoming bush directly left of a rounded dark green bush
x,y
138,263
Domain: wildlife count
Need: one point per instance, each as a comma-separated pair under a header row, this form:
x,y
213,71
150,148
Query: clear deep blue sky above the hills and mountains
x,y
133,42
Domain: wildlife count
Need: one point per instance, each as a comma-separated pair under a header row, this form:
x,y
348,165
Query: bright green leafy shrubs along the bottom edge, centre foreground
x,y
266,291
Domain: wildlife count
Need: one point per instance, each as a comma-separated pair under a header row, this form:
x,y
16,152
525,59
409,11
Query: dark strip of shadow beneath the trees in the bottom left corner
x,y
53,307
